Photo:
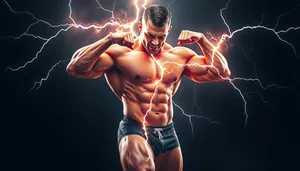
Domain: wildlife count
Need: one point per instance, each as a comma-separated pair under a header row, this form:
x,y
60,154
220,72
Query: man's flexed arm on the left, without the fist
x,y
91,61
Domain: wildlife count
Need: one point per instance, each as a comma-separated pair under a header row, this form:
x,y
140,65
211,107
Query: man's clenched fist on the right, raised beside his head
x,y
189,37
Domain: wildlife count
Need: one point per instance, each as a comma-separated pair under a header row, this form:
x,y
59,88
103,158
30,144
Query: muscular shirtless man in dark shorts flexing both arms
x,y
145,73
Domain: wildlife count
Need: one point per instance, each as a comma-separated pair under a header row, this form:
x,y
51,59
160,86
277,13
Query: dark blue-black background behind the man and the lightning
x,y
71,124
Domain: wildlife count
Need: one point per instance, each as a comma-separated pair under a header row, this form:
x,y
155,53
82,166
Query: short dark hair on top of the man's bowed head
x,y
158,14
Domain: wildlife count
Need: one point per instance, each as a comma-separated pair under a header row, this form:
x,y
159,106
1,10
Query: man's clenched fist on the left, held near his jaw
x,y
122,38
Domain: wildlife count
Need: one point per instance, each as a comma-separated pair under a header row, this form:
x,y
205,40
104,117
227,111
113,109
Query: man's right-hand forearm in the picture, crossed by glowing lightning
x,y
214,57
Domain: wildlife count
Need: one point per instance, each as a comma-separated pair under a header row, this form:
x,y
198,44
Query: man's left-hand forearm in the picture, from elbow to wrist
x,y
85,58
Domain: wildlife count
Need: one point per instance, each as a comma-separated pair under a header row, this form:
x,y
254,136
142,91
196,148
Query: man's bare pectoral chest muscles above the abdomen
x,y
143,68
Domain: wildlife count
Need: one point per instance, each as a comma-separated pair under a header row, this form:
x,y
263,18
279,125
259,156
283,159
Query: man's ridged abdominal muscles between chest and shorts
x,y
148,103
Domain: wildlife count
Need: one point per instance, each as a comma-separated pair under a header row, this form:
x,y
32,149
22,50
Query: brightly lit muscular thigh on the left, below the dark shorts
x,y
134,154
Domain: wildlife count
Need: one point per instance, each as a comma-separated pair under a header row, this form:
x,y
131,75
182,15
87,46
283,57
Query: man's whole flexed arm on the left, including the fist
x,y
93,60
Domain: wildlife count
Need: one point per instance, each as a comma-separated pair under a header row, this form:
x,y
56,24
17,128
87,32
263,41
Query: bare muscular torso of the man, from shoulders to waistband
x,y
146,83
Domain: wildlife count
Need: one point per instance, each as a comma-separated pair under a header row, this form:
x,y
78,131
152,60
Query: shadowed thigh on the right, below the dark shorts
x,y
169,161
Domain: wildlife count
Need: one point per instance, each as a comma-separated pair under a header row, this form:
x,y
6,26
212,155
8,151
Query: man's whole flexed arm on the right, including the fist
x,y
208,68
